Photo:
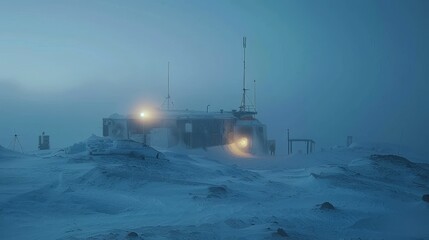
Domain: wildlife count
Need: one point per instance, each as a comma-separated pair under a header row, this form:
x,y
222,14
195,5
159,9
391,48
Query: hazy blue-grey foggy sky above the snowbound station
x,y
324,69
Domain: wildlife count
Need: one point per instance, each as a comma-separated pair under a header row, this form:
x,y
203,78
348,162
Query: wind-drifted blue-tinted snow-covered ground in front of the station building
x,y
213,195
